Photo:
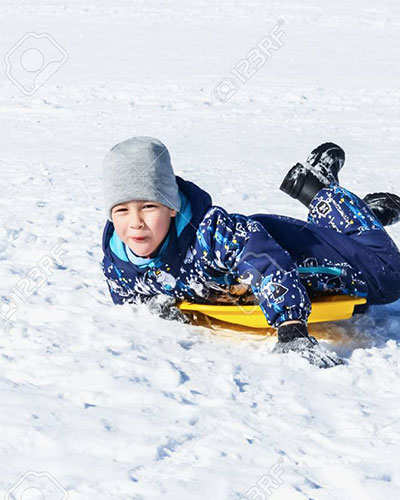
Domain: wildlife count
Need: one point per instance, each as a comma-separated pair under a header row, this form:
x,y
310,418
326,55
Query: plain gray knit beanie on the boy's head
x,y
139,169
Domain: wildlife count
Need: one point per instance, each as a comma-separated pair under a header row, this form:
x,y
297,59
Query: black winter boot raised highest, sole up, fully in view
x,y
321,169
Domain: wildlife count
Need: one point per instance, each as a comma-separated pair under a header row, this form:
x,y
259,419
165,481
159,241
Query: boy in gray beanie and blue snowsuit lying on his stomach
x,y
164,241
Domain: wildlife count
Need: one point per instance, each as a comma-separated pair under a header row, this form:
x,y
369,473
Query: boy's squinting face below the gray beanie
x,y
142,225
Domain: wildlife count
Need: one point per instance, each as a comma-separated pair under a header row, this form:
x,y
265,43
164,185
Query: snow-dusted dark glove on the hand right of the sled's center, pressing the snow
x,y
294,337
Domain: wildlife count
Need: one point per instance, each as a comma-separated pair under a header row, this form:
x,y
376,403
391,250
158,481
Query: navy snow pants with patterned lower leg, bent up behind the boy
x,y
341,230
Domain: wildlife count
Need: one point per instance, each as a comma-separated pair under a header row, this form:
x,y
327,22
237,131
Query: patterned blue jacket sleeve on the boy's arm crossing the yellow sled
x,y
238,245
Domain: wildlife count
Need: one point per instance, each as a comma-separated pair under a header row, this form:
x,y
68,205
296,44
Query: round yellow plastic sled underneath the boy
x,y
328,308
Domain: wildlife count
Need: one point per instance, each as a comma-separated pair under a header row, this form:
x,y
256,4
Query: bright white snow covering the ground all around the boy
x,y
113,403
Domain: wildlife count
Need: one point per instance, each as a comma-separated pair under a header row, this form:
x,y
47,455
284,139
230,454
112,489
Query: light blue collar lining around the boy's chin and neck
x,y
123,252
